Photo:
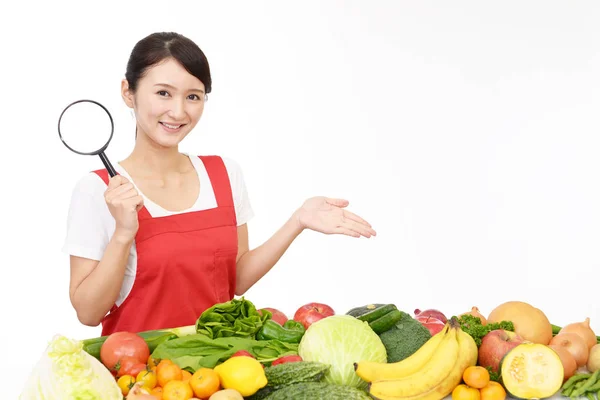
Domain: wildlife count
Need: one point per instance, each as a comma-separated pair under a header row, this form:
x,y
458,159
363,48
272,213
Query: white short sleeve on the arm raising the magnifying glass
x,y
88,219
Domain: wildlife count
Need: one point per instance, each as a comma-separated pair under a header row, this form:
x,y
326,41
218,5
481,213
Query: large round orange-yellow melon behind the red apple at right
x,y
530,323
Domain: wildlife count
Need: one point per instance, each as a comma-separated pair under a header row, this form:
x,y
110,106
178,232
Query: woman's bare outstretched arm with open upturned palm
x,y
320,214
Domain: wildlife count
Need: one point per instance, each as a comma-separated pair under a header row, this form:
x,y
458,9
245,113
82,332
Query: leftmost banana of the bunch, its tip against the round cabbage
x,y
370,371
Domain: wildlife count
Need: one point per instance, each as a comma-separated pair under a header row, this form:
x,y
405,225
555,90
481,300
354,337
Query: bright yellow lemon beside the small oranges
x,y
244,374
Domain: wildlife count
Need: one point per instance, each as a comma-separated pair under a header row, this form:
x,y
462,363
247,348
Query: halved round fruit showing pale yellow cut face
x,y
532,371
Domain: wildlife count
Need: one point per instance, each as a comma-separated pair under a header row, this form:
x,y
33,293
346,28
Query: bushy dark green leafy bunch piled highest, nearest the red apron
x,y
235,318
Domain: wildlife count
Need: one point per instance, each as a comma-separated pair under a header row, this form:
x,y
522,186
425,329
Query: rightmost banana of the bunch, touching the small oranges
x,y
467,357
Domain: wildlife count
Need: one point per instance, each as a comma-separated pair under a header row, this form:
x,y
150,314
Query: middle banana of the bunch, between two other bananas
x,y
429,376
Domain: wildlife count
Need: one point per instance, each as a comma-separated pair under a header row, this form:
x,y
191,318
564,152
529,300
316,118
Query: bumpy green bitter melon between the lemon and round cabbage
x,y
282,375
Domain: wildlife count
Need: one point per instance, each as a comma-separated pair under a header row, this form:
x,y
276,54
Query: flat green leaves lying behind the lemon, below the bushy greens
x,y
195,351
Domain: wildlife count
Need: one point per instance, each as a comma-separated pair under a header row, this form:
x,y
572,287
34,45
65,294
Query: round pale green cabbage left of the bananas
x,y
341,341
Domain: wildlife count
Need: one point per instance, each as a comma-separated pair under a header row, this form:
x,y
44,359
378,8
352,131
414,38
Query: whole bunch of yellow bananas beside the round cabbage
x,y
431,373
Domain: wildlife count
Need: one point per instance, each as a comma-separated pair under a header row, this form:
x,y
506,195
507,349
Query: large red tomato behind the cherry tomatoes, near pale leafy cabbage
x,y
123,344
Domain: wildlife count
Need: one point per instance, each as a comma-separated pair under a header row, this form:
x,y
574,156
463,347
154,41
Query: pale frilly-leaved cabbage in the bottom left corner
x,y
66,371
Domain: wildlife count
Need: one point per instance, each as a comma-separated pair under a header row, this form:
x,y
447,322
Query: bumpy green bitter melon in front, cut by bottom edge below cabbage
x,y
318,391
